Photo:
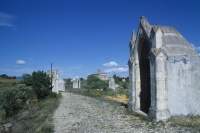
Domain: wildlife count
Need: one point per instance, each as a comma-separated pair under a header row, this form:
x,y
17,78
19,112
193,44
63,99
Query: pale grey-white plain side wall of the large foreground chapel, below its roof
x,y
183,85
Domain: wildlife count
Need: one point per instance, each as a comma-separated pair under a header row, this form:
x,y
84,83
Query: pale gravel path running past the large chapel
x,y
80,114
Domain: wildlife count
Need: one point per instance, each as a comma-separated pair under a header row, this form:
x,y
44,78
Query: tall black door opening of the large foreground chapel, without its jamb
x,y
145,95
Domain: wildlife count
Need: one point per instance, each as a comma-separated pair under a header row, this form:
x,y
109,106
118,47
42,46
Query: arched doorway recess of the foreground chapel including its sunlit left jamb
x,y
143,86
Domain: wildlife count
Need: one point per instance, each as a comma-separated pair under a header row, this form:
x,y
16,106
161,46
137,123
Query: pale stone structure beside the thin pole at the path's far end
x,y
57,82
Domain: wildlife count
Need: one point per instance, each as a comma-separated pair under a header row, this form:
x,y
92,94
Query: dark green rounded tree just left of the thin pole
x,y
41,84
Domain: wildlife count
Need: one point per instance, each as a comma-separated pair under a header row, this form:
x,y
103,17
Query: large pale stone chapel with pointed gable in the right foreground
x,y
164,72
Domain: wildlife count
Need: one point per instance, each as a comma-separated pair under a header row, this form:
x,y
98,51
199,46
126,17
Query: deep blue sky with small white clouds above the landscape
x,y
81,36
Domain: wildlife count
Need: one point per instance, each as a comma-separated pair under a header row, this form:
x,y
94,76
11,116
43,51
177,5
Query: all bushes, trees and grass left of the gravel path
x,y
27,105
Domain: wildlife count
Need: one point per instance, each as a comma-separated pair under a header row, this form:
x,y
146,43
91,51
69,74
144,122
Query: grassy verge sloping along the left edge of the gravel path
x,y
36,118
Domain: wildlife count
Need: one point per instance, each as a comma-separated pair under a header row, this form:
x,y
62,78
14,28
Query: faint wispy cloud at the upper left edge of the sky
x,y
6,20
